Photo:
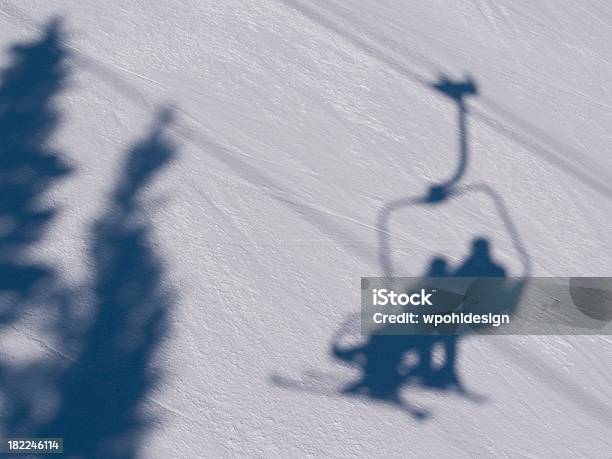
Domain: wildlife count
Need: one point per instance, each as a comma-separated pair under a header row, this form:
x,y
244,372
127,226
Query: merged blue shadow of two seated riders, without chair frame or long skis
x,y
382,359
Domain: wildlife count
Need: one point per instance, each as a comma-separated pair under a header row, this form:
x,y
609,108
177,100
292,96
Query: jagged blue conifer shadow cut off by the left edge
x,y
28,166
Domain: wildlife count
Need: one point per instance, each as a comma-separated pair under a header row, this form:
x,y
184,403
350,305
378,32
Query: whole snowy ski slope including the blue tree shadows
x,y
225,172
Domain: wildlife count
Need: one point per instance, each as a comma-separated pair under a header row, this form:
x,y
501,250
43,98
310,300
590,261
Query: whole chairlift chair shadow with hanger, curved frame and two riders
x,y
389,363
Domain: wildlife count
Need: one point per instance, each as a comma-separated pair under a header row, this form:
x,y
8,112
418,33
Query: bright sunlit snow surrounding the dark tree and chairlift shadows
x,y
282,201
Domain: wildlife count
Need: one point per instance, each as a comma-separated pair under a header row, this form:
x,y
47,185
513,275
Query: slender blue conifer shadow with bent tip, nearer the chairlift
x,y
102,391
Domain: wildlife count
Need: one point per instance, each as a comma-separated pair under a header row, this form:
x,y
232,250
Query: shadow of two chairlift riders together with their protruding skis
x,y
391,364
